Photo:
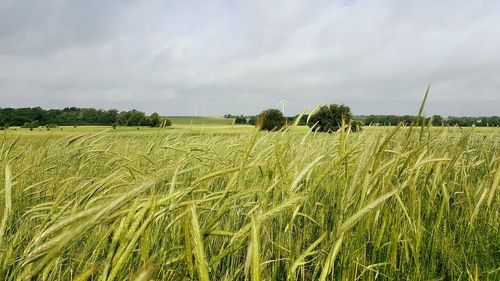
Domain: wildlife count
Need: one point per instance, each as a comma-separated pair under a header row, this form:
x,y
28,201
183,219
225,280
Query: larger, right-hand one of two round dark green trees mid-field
x,y
329,118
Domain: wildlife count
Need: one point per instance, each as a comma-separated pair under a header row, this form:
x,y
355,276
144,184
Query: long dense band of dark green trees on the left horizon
x,y
74,116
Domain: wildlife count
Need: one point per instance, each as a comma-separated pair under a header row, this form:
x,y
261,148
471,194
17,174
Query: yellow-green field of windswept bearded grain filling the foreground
x,y
224,202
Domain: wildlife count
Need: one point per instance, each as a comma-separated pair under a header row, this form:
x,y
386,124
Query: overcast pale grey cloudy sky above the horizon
x,y
240,57
